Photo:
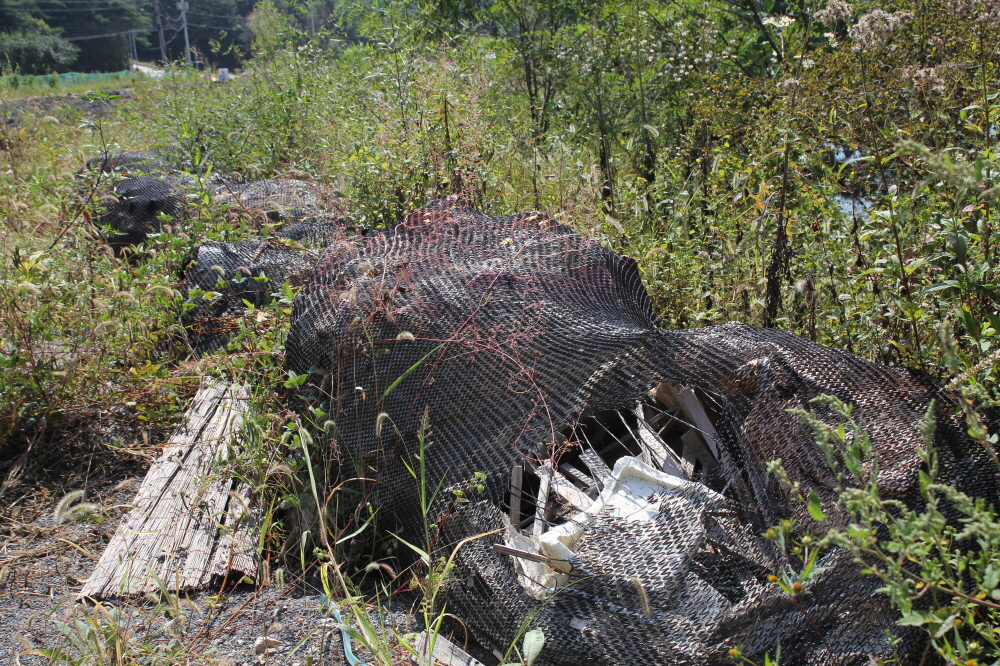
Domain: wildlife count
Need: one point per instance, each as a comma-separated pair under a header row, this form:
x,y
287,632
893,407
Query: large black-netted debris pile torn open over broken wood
x,y
626,485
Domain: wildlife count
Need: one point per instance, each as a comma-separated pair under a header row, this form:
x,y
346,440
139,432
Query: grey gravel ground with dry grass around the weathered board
x,y
43,565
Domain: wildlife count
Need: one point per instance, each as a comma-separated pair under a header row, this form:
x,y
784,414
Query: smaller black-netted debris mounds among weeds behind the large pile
x,y
152,191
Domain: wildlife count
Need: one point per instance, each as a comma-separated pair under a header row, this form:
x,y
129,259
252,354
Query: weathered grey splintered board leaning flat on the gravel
x,y
189,524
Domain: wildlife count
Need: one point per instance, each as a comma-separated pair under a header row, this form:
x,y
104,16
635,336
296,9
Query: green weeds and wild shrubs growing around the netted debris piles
x,y
829,169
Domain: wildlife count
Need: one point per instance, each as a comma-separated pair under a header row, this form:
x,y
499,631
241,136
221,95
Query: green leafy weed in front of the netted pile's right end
x,y
939,562
